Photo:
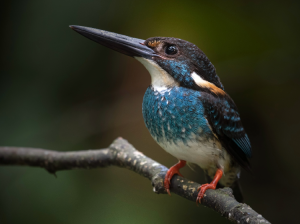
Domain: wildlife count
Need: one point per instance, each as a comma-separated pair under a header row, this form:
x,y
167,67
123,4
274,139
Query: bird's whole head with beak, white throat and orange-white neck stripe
x,y
170,61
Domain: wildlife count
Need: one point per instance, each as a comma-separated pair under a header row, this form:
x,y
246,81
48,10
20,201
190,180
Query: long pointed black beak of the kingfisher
x,y
121,43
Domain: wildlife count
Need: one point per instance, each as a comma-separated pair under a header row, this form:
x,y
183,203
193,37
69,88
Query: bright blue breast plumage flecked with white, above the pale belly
x,y
177,112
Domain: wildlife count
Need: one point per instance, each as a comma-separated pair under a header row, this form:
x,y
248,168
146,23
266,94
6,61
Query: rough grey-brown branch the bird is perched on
x,y
121,153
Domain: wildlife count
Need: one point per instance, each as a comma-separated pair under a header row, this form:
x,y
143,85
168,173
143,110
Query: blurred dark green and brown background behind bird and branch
x,y
61,91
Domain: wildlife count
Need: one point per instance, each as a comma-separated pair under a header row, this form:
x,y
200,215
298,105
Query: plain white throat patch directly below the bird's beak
x,y
160,79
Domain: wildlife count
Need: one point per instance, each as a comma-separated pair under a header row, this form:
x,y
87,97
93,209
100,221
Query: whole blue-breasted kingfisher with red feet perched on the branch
x,y
185,108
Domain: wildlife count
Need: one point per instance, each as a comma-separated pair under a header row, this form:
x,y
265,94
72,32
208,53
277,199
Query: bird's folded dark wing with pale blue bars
x,y
226,123
